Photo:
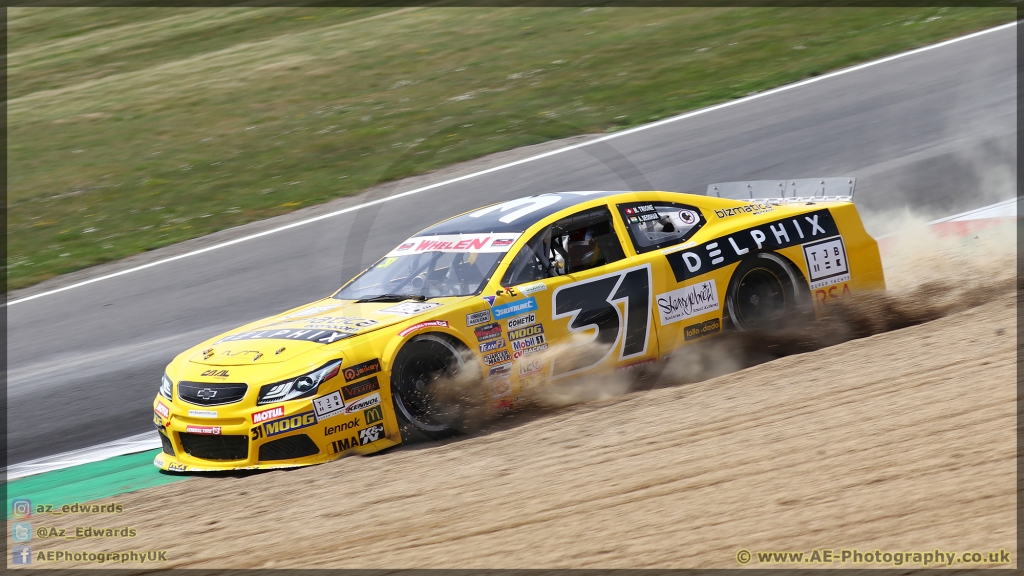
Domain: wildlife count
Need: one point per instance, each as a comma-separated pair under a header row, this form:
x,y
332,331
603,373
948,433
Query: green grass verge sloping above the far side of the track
x,y
132,130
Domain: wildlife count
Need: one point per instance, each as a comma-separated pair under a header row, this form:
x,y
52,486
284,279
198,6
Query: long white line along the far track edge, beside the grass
x,y
524,161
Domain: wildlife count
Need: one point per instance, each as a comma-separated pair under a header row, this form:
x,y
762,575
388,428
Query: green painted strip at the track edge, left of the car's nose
x,y
91,482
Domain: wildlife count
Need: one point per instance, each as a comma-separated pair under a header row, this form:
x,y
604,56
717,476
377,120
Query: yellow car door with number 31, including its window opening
x,y
576,304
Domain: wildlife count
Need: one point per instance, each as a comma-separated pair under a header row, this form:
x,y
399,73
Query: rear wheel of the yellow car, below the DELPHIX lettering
x,y
766,294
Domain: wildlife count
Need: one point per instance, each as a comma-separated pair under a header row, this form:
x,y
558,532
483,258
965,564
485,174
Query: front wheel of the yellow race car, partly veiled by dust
x,y
436,388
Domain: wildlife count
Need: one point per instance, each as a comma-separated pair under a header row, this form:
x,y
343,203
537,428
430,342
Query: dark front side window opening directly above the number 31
x,y
575,244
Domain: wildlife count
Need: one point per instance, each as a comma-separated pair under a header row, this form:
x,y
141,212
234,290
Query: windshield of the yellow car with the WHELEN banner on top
x,y
432,267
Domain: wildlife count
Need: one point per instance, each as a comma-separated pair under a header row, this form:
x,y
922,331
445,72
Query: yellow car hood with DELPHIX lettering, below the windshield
x,y
284,337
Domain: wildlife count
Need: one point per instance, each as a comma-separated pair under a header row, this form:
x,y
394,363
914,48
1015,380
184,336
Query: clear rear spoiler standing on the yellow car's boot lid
x,y
784,192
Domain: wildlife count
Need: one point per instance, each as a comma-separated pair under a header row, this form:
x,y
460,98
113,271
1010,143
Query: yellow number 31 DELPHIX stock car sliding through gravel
x,y
517,296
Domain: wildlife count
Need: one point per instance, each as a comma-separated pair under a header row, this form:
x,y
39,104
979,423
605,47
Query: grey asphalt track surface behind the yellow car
x,y
935,132
